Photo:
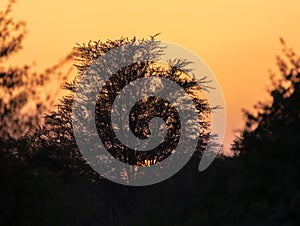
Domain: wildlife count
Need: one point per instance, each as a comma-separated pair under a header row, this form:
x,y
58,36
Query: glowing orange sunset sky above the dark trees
x,y
237,39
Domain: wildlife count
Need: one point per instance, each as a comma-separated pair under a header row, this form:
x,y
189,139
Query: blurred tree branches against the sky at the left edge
x,y
23,97
